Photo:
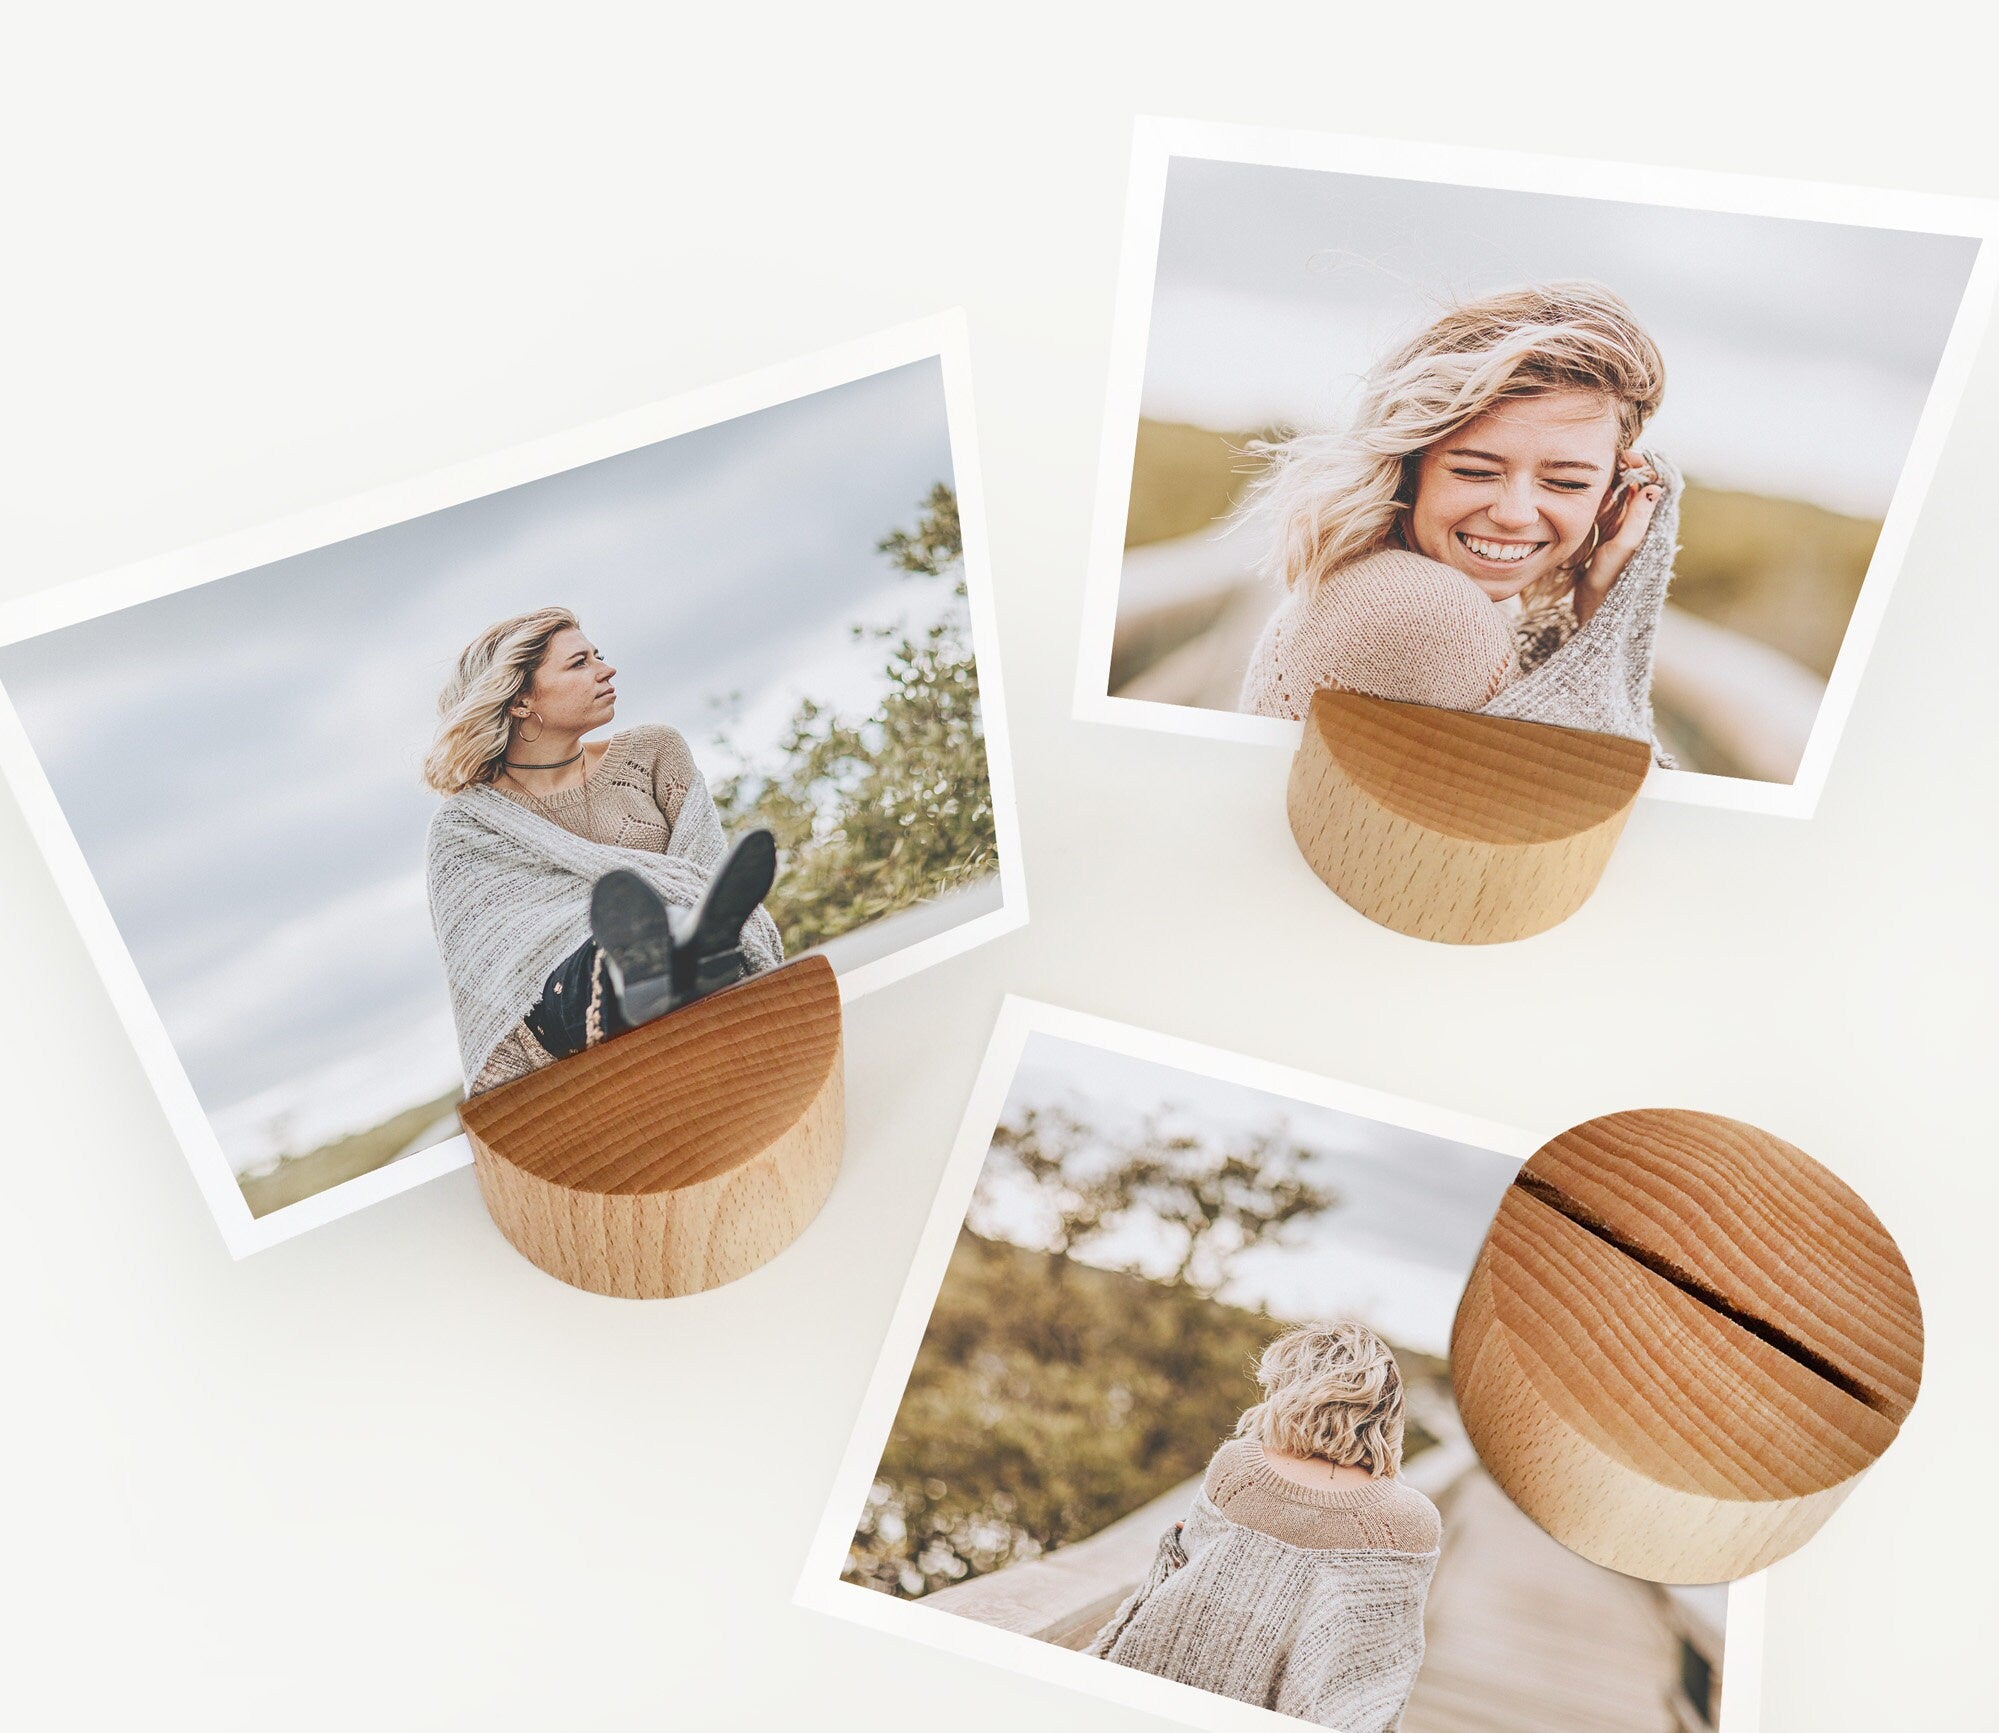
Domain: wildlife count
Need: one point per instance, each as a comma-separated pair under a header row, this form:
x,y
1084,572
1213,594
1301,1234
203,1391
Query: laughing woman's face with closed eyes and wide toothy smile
x,y
1512,495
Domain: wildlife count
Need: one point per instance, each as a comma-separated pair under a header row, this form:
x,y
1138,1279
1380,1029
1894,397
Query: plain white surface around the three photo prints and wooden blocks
x,y
391,1474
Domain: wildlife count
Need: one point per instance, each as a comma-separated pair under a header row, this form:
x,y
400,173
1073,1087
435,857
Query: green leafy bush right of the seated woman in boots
x,y
885,813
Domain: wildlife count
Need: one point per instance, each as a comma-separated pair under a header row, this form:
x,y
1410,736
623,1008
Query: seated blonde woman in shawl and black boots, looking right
x,y
555,859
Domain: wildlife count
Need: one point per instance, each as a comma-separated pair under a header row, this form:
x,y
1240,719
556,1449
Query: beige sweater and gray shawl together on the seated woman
x,y
511,884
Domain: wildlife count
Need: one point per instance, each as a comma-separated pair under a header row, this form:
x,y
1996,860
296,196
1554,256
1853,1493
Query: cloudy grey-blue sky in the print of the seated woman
x,y
241,761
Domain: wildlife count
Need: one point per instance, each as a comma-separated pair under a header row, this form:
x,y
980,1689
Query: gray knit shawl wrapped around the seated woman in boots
x,y
511,898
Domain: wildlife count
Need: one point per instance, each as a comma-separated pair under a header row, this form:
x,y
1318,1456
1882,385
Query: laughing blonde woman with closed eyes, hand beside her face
x,y
1486,535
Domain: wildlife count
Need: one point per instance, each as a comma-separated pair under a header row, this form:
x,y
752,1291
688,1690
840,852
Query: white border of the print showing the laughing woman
x,y
1156,141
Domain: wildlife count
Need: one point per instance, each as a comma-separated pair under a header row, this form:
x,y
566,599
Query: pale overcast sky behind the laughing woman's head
x,y
1798,353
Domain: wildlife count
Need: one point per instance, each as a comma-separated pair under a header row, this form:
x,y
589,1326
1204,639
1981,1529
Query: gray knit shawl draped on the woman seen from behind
x,y
1332,1636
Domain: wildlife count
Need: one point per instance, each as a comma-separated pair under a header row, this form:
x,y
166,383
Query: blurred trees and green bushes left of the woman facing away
x,y
1054,1396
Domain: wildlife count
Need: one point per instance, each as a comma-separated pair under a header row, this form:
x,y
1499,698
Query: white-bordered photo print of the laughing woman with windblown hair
x,y
1590,445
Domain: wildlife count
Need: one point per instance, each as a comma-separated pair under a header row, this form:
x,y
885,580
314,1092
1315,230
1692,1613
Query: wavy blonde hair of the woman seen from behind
x,y
1330,1392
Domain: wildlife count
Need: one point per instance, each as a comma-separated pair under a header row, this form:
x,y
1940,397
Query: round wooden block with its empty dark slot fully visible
x,y
1682,1344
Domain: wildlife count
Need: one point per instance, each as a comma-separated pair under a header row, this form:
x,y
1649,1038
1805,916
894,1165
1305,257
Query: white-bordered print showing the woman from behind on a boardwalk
x,y
1166,1416
